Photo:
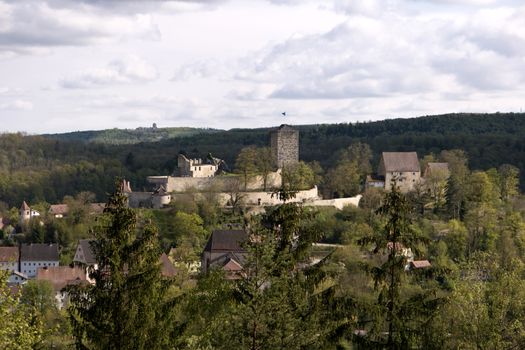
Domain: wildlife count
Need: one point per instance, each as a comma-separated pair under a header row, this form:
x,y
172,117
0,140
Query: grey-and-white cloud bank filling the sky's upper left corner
x,y
33,24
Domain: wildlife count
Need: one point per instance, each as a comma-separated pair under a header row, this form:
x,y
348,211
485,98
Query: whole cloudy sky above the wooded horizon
x,y
69,65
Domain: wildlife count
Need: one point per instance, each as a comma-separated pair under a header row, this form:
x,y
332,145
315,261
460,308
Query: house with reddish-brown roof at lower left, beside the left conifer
x,y
60,277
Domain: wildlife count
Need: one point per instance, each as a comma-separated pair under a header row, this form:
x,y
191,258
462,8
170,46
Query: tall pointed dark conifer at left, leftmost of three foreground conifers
x,y
126,308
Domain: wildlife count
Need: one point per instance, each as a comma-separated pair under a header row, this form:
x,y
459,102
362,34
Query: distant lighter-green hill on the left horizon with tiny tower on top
x,y
128,136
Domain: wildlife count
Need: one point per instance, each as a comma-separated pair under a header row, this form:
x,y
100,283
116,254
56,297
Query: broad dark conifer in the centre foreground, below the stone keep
x,y
281,303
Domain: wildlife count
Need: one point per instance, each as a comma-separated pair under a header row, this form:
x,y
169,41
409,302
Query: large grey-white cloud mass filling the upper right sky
x,y
371,55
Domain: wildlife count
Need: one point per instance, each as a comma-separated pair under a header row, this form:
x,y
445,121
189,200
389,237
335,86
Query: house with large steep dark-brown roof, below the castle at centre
x,y
225,250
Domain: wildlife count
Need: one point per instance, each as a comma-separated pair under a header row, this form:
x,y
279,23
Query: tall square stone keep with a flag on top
x,y
285,146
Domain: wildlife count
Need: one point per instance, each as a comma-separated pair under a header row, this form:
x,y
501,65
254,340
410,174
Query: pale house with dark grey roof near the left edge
x,y
35,255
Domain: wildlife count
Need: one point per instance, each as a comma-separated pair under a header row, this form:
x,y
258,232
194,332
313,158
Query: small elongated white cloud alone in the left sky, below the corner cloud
x,y
131,69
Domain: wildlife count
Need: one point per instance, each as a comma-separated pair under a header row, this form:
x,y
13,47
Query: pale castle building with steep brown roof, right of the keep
x,y
401,167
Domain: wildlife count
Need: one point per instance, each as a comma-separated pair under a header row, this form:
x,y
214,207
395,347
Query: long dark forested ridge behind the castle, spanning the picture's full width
x,y
38,168
